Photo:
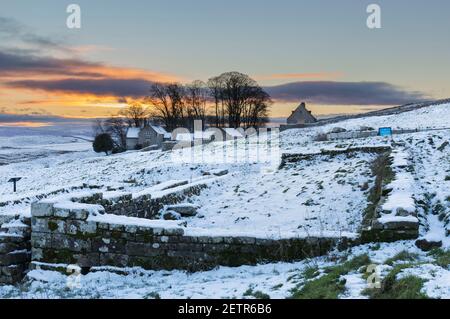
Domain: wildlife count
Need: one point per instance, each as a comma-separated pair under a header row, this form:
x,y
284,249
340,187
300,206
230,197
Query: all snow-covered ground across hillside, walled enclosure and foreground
x,y
320,196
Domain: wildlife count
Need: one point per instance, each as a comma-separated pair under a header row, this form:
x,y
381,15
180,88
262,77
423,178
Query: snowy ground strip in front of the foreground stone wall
x,y
276,281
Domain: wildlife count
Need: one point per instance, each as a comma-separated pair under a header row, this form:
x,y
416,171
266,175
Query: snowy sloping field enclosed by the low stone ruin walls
x,y
291,201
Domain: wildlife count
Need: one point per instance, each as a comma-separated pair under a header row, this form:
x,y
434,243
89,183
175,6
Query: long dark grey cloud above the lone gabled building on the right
x,y
344,93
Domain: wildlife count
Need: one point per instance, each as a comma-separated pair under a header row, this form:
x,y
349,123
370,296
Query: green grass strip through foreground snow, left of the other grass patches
x,y
330,285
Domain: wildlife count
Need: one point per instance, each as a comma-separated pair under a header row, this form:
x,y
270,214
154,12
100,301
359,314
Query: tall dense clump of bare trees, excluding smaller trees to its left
x,y
231,99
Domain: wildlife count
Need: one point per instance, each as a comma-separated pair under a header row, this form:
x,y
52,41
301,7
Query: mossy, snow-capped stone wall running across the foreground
x,y
79,234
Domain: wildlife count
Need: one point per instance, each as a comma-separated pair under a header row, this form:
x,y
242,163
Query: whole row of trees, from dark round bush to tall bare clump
x,y
231,99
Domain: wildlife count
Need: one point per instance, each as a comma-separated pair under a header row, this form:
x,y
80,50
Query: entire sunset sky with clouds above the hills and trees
x,y
320,52
